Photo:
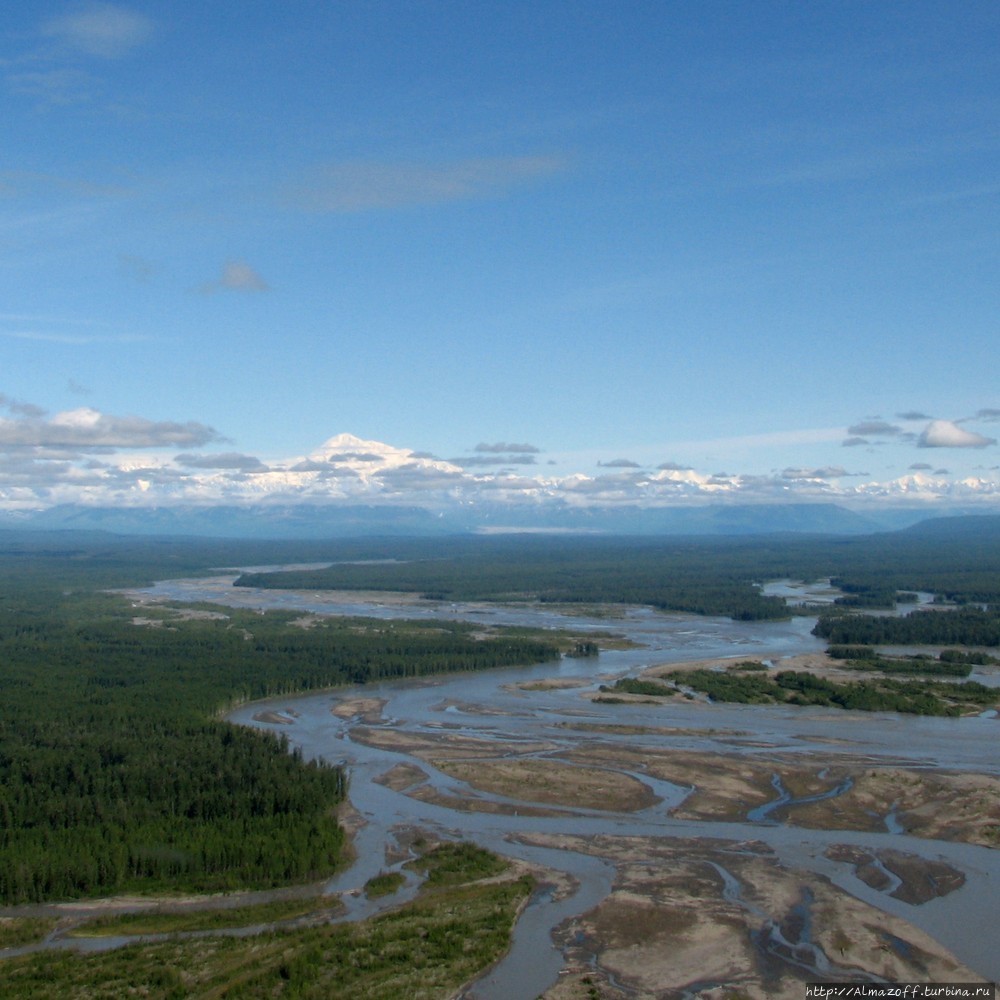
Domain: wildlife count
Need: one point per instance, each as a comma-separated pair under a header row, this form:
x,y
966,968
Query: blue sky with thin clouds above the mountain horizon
x,y
756,242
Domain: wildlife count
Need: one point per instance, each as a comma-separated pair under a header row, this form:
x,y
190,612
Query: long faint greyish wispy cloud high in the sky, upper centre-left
x,y
365,185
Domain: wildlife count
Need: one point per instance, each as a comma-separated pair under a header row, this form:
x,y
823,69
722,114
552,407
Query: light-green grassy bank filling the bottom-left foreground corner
x,y
427,948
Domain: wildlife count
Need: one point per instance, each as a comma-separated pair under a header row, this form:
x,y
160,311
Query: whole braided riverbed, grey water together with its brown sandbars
x,y
807,911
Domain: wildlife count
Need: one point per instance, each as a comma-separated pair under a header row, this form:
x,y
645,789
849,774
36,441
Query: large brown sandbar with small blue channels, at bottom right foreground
x,y
726,917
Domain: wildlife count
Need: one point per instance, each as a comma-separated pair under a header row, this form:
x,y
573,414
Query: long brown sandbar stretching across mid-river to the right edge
x,y
723,786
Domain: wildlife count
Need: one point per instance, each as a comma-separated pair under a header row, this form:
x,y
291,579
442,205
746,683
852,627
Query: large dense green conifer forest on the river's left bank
x,y
115,773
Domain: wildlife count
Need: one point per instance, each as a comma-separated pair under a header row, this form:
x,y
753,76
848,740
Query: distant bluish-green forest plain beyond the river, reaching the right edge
x,y
713,575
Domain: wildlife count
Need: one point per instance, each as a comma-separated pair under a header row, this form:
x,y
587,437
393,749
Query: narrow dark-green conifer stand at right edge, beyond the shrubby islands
x,y
966,626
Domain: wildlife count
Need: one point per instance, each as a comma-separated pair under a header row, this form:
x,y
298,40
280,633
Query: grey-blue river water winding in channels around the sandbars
x,y
489,705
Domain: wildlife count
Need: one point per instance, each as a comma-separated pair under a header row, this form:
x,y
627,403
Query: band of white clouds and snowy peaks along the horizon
x,y
85,456
